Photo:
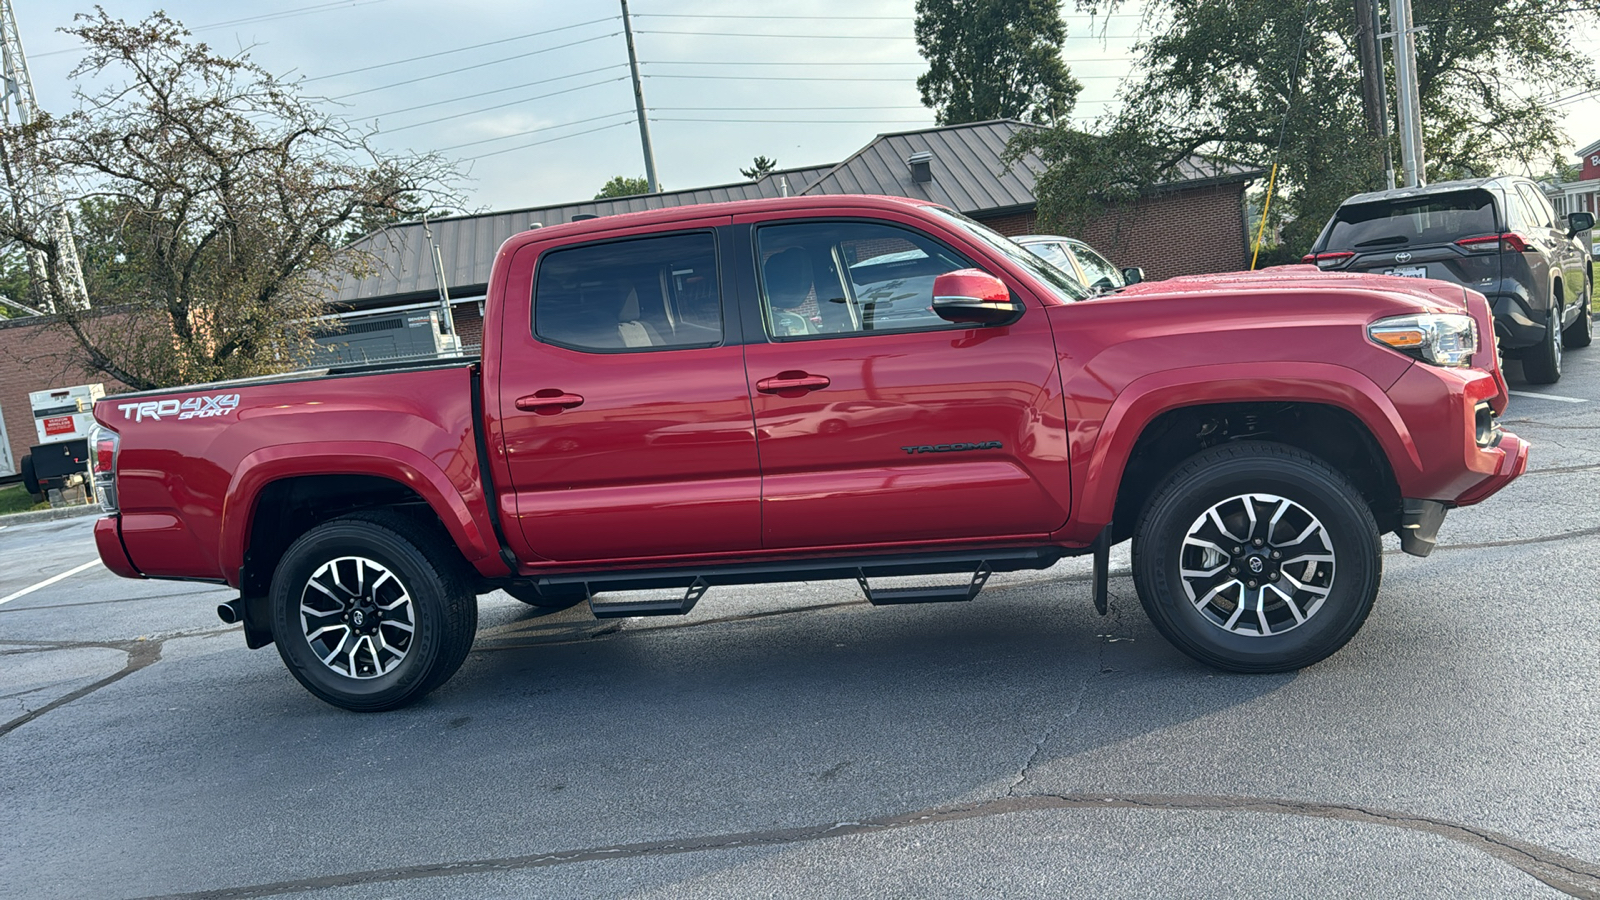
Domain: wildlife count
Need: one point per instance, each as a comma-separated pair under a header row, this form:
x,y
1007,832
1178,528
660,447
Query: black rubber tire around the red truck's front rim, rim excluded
x,y
1350,529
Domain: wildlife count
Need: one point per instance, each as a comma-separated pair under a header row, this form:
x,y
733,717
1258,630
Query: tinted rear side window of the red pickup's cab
x,y
631,295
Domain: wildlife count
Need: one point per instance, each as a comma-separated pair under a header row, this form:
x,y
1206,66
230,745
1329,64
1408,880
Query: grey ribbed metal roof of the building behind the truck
x,y
967,166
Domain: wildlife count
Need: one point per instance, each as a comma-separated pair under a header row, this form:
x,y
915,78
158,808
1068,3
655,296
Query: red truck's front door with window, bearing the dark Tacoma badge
x,y
881,424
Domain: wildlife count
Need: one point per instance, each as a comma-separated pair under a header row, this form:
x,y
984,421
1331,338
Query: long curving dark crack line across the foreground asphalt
x,y
1569,875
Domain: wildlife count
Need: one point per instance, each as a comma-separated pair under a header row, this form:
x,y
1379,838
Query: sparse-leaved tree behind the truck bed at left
x,y
212,203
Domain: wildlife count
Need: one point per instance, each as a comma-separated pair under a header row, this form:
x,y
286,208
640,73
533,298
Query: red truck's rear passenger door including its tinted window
x,y
623,404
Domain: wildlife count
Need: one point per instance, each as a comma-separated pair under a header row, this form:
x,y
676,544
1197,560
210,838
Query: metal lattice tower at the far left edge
x,y
34,195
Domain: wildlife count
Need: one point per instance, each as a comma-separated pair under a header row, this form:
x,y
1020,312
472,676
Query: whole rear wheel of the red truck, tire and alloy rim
x,y
386,667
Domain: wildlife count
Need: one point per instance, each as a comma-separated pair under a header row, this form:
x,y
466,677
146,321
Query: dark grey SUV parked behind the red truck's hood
x,y
1497,236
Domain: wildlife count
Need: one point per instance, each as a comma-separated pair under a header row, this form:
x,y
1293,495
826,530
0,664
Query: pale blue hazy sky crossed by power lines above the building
x,y
534,97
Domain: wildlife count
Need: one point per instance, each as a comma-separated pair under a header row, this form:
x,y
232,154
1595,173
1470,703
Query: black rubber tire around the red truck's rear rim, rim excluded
x,y
407,566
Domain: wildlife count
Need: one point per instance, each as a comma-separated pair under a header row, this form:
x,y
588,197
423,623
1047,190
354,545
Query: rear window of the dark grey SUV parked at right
x,y
1439,219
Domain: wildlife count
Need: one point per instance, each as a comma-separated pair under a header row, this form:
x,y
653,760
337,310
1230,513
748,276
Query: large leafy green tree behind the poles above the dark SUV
x,y
1228,79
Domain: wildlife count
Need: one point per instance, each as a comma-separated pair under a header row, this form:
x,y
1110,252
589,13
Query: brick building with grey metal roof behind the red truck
x,y
1191,225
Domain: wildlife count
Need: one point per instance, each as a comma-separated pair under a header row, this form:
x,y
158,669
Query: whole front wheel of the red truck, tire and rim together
x,y
1290,492
